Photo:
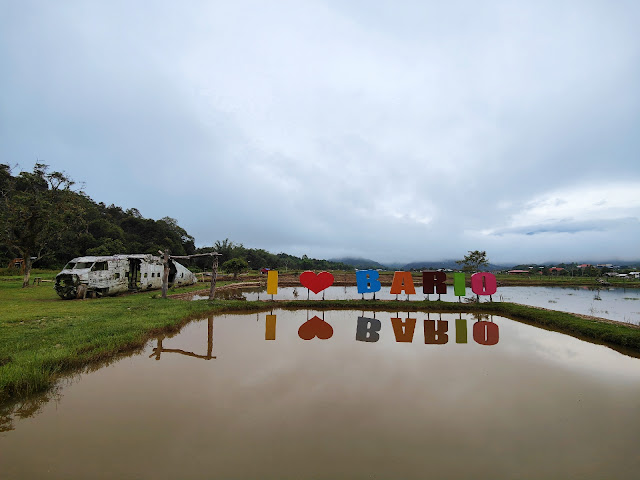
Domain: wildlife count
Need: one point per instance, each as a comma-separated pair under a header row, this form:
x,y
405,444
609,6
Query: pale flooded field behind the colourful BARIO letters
x,y
618,304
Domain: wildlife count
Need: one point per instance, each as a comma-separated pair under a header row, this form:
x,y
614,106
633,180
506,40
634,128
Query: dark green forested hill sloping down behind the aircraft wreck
x,y
43,216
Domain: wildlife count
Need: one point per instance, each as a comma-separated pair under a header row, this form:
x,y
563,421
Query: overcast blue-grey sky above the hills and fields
x,y
395,131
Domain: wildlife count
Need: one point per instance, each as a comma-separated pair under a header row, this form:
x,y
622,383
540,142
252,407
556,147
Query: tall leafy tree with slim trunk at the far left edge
x,y
36,209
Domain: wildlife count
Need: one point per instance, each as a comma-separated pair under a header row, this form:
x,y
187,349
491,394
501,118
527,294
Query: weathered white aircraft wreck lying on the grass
x,y
116,274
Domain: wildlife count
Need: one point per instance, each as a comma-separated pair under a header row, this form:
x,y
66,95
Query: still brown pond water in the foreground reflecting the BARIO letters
x,y
536,404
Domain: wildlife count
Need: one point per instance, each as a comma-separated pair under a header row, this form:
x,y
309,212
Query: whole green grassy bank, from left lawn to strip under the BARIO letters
x,y
42,336
